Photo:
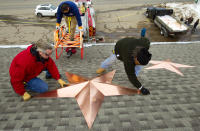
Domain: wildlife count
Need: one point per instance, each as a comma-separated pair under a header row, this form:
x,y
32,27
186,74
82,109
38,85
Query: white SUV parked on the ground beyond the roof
x,y
45,10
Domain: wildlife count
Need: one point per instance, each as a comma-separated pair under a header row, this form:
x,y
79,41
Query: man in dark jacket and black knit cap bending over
x,y
133,53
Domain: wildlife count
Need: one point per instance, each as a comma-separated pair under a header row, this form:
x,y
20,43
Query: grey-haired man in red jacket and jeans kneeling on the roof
x,y
28,64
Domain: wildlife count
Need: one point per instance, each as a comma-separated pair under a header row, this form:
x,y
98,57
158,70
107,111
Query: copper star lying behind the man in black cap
x,y
167,65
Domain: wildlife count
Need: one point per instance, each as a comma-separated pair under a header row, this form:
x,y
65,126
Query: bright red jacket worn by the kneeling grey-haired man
x,y
25,67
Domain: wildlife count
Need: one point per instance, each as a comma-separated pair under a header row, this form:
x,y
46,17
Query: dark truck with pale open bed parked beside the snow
x,y
163,18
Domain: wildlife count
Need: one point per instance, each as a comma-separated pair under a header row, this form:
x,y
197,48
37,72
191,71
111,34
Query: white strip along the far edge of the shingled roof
x,y
102,44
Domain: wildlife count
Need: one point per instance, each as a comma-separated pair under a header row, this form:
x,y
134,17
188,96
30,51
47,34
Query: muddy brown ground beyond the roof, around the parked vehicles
x,y
19,25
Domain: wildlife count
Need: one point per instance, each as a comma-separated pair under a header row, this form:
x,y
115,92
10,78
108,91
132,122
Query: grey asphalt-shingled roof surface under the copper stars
x,y
172,106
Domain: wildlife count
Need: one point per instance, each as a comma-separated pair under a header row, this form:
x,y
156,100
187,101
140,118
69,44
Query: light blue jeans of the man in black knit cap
x,y
112,58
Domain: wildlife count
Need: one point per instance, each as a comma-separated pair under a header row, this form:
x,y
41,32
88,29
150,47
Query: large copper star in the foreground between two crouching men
x,y
90,93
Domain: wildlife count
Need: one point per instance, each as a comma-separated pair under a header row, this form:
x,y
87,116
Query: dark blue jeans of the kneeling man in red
x,y
37,85
